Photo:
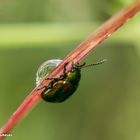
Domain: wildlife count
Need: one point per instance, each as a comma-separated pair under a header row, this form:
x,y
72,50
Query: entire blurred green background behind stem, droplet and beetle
x,y
106,104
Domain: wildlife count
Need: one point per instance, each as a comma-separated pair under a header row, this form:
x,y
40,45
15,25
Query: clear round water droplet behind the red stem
x,y
45,68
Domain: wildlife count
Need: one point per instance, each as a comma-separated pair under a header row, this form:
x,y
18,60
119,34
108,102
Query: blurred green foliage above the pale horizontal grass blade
x,y
57,11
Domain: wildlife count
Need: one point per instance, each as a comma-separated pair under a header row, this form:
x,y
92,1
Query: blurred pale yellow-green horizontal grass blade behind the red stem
x,y
46,35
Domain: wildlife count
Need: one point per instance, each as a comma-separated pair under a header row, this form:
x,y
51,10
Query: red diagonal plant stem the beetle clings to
x,y
75,56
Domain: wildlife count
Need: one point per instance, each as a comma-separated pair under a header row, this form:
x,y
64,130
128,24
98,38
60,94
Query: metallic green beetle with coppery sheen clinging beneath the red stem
x,y
63,87
